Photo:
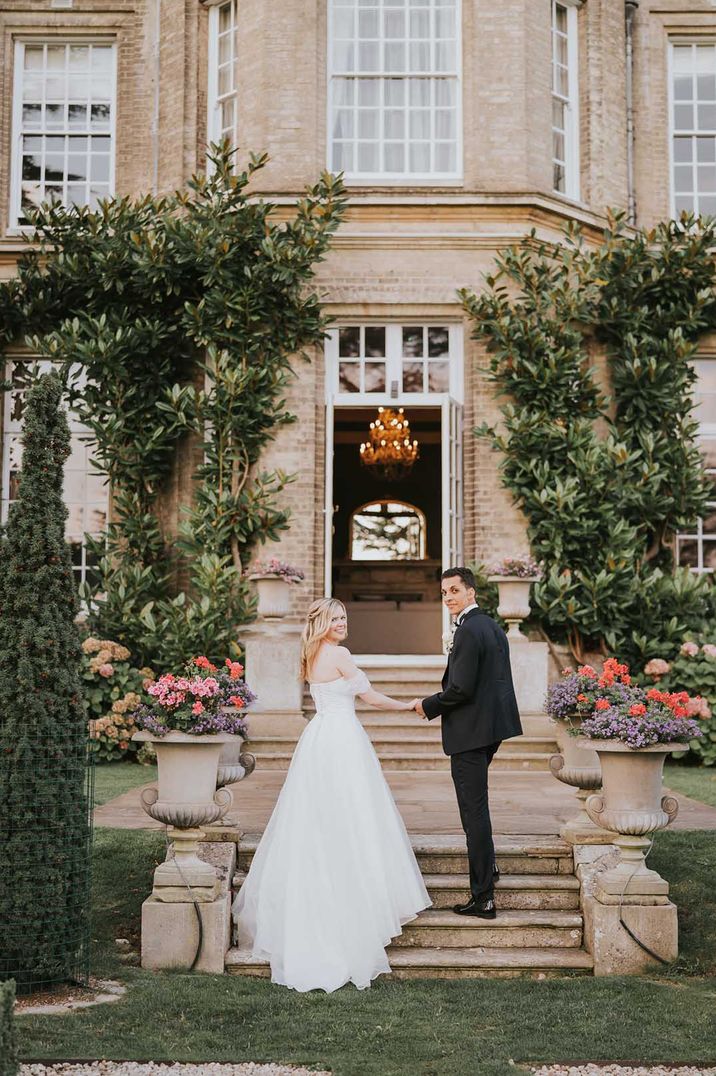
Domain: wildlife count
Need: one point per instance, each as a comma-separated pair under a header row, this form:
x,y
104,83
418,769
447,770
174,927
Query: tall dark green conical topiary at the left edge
x,y
45,824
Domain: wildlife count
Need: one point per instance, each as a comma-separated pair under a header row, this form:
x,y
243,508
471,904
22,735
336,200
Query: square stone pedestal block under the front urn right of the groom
x,y
615,953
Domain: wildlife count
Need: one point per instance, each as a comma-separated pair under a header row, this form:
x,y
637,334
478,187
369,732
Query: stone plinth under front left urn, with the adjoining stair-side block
x,y
171,931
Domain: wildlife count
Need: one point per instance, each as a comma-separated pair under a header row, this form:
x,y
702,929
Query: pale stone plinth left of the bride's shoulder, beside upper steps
x,y
273,659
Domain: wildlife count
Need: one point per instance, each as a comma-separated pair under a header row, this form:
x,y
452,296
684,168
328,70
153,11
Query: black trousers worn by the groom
x,y
470,775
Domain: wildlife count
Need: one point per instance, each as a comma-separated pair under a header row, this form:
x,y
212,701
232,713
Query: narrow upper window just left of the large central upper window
x,y
223,72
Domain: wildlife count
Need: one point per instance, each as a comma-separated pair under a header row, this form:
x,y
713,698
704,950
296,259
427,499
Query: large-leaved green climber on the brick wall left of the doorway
x,y
176,321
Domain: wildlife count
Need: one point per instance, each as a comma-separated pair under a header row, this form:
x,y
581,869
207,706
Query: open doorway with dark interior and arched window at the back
x,y
387,543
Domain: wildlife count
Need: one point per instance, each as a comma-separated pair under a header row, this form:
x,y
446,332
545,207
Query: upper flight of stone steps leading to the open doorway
x,y
408,742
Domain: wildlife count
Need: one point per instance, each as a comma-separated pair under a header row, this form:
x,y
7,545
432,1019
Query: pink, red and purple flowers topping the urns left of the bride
x,y
205,700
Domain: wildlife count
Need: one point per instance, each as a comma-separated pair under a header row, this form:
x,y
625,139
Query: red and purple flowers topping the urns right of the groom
x,y
609,705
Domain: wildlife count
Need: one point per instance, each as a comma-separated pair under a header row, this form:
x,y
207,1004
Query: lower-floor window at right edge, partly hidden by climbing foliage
x,y
697,550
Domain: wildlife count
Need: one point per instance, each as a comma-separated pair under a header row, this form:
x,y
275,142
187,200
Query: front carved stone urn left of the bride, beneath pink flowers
x,y
186,799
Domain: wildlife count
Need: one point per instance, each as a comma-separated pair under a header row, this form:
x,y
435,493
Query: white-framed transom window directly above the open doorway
x,y
381,362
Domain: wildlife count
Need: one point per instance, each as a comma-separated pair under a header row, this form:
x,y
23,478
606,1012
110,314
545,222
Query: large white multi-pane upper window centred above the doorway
x,y
395,91
